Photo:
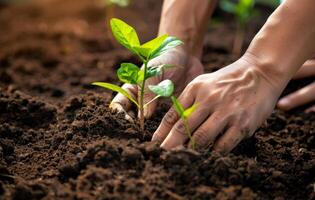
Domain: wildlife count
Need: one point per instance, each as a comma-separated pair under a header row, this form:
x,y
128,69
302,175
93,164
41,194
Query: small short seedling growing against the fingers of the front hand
x,y
184,115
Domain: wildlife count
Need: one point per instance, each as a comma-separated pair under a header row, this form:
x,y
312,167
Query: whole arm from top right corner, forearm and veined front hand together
x,y
234,101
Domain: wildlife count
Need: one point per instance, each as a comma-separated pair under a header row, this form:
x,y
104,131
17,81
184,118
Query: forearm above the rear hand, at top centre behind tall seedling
x,y
187,20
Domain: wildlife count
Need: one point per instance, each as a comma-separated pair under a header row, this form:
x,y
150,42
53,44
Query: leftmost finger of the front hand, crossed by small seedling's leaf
x,y
171,117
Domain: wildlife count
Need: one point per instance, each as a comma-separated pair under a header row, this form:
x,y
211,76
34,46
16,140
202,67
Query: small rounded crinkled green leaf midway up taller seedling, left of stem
x,y
128,73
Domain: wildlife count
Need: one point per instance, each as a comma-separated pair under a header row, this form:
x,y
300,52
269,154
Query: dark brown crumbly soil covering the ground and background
x,y
59,140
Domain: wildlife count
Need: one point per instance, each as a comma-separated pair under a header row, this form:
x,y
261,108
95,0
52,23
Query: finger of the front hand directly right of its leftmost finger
x,y
179,134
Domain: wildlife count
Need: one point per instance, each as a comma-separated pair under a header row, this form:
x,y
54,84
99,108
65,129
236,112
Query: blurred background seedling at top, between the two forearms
x,y
243,11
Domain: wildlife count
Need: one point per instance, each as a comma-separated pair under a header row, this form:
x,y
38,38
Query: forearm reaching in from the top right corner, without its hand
x,y
286,41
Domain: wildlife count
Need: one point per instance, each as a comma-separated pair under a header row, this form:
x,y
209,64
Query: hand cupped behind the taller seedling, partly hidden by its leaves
x,y
185,68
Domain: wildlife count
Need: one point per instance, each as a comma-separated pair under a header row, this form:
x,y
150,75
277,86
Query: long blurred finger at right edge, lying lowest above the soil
x,y
298,98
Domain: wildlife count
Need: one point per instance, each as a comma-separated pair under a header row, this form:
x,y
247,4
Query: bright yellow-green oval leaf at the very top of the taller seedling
x,y
125,34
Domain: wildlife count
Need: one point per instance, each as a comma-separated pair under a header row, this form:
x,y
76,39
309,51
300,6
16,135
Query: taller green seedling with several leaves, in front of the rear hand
x,y
132,74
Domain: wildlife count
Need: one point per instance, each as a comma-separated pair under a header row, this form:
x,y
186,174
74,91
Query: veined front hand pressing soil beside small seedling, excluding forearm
x,y
233,102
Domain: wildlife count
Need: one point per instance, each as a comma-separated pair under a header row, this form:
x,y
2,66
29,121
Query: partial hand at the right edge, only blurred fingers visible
x,y
304,95
